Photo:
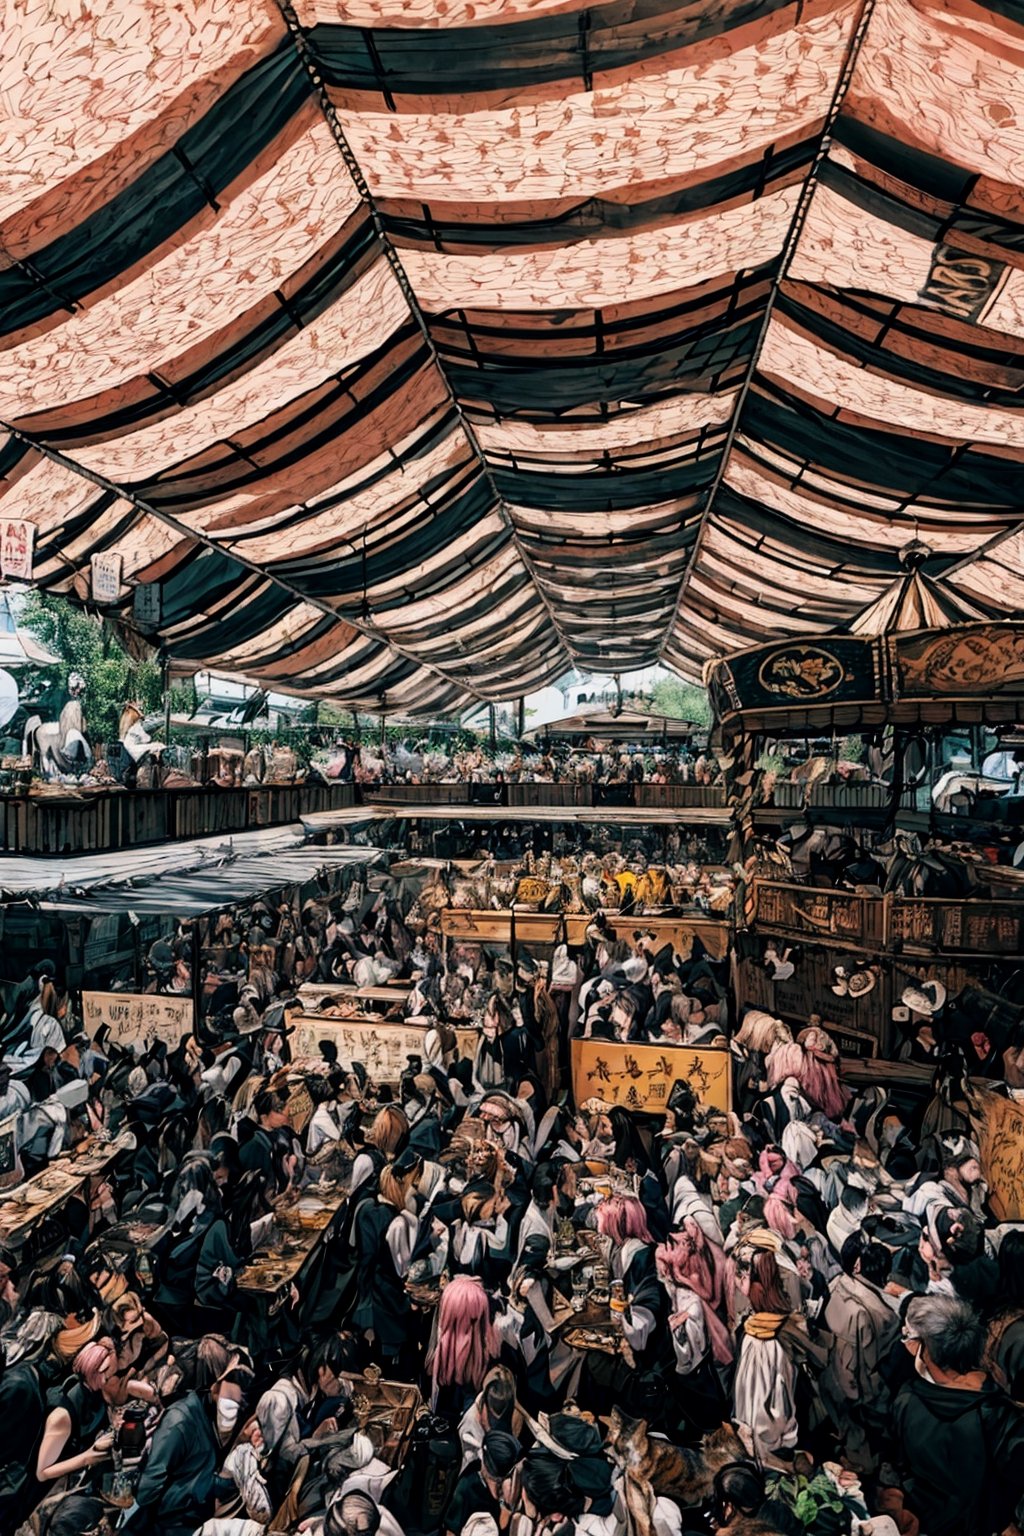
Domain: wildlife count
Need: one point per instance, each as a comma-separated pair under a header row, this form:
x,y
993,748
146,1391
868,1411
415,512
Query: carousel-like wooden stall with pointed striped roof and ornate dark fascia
x,y
882,879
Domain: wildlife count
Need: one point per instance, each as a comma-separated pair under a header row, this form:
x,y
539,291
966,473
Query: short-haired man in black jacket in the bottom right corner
x,y
960,1438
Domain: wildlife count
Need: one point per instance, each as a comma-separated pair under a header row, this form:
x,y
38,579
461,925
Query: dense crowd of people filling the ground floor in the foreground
x,y
798,1314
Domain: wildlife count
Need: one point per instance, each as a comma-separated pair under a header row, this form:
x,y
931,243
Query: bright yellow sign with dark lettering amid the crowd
x,y
642,1078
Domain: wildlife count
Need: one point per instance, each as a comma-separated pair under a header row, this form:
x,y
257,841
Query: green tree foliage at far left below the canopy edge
x,y
88,646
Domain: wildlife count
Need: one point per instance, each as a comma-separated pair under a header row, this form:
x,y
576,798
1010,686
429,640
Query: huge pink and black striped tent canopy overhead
x,y
415,351
